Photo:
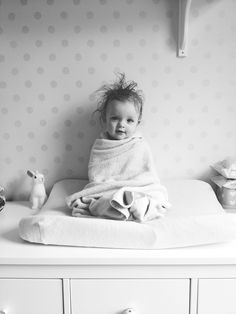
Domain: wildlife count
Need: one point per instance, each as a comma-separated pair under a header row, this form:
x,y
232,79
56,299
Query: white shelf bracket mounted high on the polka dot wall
x,y
184,9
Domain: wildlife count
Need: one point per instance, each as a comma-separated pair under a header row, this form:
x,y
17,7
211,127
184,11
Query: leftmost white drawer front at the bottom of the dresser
x,y
31,296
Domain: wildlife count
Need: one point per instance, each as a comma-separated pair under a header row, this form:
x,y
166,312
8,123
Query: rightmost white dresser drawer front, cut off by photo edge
x,y
216,296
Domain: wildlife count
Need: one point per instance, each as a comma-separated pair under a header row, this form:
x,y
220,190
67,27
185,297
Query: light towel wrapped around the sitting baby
x,y
123,183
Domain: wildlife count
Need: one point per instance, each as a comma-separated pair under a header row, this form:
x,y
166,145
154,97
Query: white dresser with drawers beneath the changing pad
x,y
36,279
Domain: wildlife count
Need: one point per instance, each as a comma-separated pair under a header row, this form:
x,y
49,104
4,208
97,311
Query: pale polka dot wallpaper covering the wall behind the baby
x,y
54,54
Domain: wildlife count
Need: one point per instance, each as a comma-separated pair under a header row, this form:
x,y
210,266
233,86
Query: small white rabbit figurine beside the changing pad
x,y
38,194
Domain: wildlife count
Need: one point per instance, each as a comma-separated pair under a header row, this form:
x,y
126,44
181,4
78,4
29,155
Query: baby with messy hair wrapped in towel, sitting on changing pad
x,y
123,183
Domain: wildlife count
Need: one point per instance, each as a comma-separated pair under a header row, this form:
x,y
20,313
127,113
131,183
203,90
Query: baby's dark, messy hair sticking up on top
x,y
121,90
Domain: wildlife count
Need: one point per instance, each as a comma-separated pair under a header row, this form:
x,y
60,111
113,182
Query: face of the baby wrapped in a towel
x,y
122,118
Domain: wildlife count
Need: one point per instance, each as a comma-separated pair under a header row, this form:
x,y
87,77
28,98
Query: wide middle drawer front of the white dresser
x,y
145,296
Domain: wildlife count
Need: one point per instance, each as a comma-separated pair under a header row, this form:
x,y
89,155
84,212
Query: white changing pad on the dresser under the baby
x,y
196,218
